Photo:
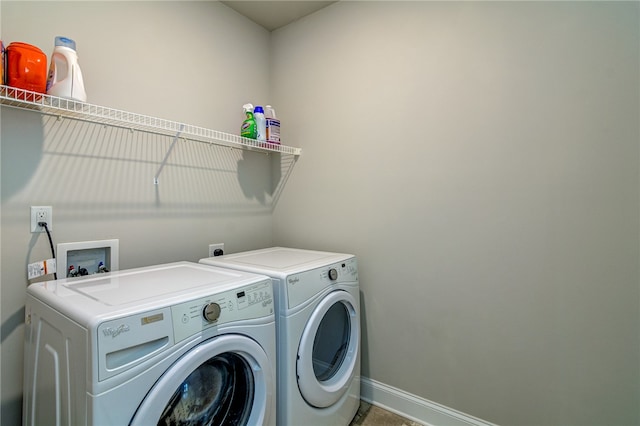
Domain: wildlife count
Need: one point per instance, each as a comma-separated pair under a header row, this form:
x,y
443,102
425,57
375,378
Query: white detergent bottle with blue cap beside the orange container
x,y
65,78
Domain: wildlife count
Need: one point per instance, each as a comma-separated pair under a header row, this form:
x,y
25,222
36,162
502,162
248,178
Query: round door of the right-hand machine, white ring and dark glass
x,y
328,350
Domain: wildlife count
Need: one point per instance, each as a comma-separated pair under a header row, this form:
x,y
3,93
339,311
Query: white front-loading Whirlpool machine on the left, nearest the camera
x,y
181,343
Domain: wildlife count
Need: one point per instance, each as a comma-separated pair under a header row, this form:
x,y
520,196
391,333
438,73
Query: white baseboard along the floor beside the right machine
x,y
413,407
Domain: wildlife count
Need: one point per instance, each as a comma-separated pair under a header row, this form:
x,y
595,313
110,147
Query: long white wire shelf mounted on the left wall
x,y
76,110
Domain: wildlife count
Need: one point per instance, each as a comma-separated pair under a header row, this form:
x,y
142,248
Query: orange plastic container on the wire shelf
x,y
26,67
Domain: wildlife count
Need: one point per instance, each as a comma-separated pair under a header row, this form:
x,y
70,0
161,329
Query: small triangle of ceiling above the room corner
x,y
275,14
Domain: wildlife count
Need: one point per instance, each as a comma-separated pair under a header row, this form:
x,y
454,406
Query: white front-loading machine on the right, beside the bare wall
x,y
318,331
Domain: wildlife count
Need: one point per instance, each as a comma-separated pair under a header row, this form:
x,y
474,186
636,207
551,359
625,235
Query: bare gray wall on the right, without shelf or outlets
x,y
482,160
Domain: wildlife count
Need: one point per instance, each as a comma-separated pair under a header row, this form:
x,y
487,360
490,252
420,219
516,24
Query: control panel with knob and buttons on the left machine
x,y
249,302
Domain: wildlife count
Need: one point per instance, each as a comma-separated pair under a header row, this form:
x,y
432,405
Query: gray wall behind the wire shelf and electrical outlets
x,y
193,62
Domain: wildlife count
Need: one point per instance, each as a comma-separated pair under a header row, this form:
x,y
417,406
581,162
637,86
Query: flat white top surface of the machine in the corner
x,y
277,259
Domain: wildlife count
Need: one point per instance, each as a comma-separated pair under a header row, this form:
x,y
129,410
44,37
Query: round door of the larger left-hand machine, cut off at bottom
x,y
225,380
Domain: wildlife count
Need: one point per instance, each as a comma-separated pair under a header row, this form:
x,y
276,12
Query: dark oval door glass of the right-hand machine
x,y
331,342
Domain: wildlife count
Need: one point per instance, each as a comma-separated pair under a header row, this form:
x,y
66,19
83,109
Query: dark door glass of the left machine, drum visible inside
x,y
218,392
